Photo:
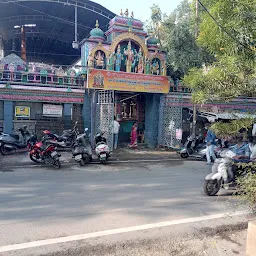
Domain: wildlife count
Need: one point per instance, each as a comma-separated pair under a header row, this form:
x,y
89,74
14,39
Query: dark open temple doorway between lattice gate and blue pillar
x,y
130,108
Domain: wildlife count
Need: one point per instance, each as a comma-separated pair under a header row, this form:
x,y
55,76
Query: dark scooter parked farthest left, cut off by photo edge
x,y
12,142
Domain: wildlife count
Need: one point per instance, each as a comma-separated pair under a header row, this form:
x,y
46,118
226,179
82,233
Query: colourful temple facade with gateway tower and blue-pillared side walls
x,y
122,74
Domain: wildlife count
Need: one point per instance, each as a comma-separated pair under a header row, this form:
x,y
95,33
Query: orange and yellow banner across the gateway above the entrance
x,y
130,82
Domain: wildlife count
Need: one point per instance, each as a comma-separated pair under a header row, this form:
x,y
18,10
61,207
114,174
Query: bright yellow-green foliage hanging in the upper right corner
x,y
231,36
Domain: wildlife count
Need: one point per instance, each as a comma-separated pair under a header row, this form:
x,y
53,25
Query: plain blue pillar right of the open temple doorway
x,y
151,119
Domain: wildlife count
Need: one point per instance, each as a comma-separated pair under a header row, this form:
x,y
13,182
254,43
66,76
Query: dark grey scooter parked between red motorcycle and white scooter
x,y
82,149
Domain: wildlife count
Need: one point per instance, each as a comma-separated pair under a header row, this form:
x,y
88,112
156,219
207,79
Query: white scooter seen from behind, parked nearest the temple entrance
x,y
102,149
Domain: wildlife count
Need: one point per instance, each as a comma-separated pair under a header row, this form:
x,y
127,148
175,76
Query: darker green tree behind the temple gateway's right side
x,y
177,37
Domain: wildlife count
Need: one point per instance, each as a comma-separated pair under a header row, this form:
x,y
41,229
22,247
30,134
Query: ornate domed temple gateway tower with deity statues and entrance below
x,y
126,76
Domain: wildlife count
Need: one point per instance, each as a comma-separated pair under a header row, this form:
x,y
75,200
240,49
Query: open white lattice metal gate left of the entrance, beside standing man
x,y
104,116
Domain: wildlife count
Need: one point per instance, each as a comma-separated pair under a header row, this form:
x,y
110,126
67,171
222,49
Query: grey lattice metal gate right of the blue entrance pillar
x,y
170,121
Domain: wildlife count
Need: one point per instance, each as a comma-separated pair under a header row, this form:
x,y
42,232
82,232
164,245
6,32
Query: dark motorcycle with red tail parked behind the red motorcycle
x,y
66,140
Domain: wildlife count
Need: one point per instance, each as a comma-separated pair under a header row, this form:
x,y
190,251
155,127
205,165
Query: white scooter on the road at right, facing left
x,y
224,174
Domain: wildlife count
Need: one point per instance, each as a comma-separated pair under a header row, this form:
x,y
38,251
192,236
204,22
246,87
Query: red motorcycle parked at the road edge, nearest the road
x,y
46,153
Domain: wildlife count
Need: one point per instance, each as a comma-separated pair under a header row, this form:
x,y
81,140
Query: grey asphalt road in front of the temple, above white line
x,y
38,203
